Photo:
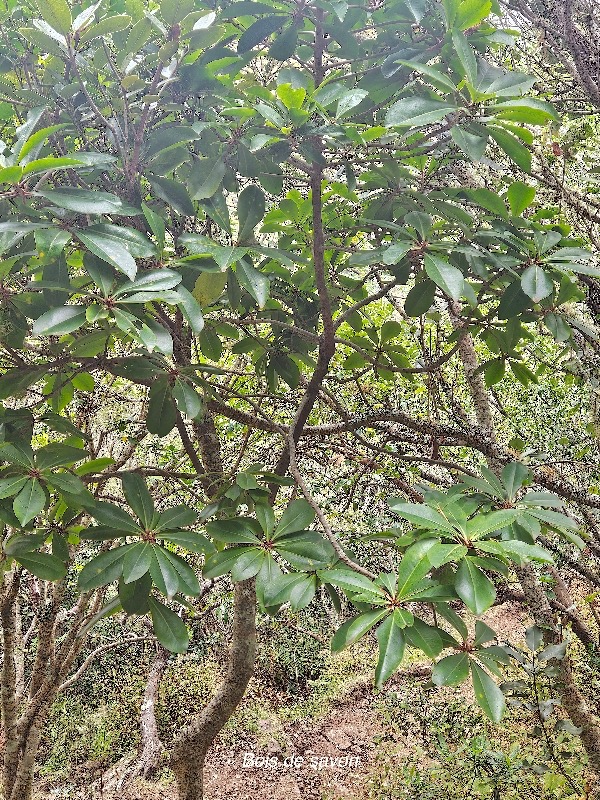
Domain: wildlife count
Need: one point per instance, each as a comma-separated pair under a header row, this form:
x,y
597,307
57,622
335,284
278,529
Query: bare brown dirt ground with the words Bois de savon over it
x,y
324,758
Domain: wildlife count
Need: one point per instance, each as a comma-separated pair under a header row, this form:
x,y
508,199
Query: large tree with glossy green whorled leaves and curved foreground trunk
x,y
255,215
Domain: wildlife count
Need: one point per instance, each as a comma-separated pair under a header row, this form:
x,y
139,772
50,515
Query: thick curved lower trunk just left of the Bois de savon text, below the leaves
x,y
191,745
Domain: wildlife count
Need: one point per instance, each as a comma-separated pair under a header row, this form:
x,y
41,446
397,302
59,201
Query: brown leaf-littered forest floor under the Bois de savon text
x,y
340,750
